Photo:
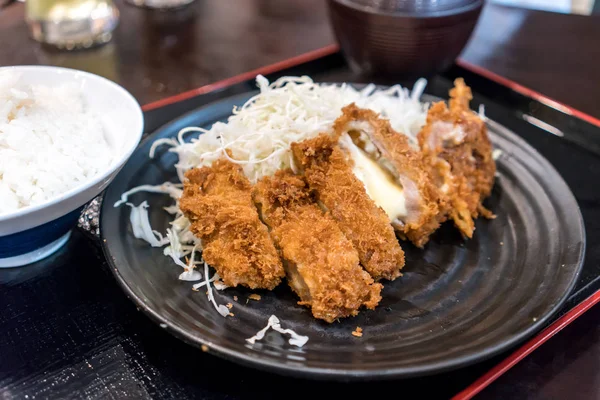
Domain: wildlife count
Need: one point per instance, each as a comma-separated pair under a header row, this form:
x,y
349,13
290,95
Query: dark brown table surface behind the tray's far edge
x,y
156,54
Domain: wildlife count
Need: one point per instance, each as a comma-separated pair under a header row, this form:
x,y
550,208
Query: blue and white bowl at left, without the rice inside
x,y
32,233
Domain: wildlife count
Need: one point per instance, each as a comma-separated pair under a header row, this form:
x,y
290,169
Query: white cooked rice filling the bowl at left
x,y
49,142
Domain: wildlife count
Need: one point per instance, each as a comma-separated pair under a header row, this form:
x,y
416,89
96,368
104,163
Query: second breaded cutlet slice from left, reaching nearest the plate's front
x,y
321,264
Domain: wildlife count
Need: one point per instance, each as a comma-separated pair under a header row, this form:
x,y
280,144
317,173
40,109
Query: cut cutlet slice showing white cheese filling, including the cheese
x,y
393,172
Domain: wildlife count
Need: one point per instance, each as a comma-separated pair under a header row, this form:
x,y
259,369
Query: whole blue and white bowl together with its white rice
x,y
64,135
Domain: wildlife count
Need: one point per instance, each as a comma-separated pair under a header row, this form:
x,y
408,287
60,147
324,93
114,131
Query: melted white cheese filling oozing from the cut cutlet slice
x,y
379,185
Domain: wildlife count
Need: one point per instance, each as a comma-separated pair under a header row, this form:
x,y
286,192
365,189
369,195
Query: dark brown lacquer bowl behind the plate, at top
x,y
403,38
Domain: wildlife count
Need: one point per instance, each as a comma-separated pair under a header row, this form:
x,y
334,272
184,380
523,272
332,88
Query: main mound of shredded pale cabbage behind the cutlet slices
x,y
291,109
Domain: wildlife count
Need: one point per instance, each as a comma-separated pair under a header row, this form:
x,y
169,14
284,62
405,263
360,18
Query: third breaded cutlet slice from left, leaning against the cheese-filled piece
x,y
366,224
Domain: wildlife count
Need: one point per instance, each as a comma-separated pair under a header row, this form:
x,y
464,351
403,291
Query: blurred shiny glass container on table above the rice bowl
x,y
71,24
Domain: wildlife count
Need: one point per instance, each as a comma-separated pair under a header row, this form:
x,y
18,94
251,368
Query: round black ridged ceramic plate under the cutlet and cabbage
x,y
458,301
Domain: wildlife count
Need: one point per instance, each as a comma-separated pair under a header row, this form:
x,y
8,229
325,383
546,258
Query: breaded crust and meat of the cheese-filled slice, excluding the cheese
x,y
391,151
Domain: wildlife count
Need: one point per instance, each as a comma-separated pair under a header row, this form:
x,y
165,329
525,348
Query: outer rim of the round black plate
x,y
339,374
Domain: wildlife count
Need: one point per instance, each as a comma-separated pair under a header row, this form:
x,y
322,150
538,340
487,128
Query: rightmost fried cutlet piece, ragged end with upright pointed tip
x,y
455,141
